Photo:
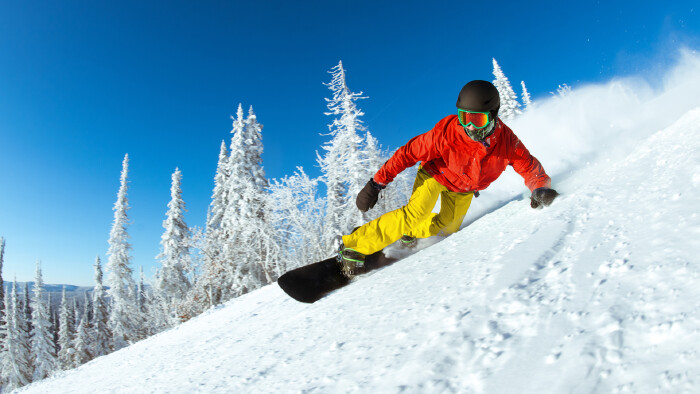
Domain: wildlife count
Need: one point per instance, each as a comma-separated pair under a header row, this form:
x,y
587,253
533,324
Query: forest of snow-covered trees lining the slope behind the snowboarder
x,y
256,229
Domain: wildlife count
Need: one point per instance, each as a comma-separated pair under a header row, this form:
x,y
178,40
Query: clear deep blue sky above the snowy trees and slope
x,y
82,83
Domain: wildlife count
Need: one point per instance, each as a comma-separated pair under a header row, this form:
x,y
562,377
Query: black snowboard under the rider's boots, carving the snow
x,y
312,282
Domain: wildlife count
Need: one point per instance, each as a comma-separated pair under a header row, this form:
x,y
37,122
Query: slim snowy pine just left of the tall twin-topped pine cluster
x,y
210,287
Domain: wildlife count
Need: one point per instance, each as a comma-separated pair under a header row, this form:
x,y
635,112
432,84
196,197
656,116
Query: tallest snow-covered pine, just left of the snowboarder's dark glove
x,y
343,168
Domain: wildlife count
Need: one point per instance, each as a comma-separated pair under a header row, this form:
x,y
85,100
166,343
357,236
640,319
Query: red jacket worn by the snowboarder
x,y
462,164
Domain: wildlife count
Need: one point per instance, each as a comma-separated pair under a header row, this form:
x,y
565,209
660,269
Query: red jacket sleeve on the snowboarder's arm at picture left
x,y
420,148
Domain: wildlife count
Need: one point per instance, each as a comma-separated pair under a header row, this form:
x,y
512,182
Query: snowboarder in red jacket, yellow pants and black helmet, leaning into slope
x,y
462,154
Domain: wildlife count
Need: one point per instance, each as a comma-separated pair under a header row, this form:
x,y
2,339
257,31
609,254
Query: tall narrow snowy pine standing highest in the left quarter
x,y
124,320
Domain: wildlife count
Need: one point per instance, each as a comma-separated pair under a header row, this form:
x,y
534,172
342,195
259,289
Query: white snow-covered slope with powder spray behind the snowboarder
x,y
598,293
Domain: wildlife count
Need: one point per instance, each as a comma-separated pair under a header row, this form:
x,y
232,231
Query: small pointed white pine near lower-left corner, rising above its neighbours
x,y
43,349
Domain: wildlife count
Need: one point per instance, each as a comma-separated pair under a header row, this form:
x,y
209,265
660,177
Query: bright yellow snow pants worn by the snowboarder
x,y
415,219
